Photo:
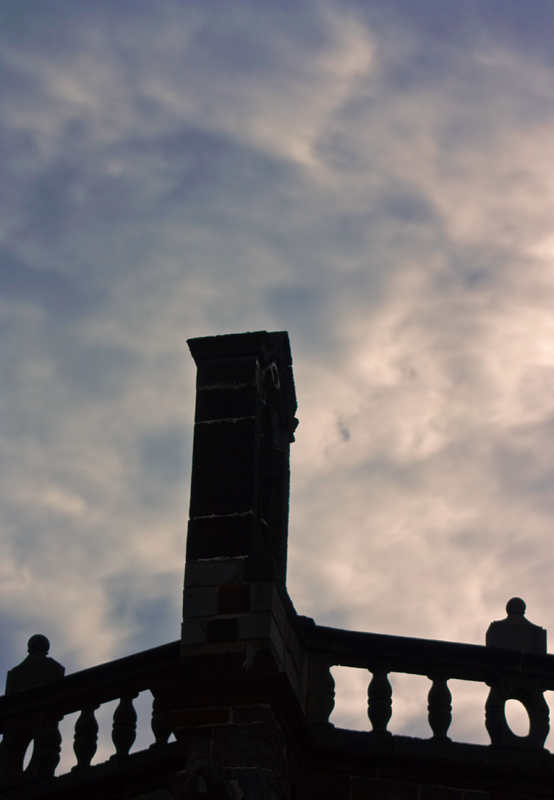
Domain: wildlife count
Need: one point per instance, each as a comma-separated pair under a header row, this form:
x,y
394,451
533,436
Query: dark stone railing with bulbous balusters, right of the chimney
x,y
510,674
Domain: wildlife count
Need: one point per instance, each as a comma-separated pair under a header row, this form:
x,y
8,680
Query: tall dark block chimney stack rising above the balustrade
x,y
238,525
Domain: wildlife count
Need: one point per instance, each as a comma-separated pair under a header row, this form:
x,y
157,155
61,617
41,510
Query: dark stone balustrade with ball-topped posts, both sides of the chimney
x,y
514,664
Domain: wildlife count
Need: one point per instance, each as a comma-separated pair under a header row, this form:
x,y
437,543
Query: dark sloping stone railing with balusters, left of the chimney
x,y
31,716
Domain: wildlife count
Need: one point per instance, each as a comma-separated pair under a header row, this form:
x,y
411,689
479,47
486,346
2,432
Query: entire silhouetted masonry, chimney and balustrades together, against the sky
x,y
242,702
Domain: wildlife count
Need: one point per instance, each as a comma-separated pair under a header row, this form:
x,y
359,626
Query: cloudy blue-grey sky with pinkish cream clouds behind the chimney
x,y
375,177
